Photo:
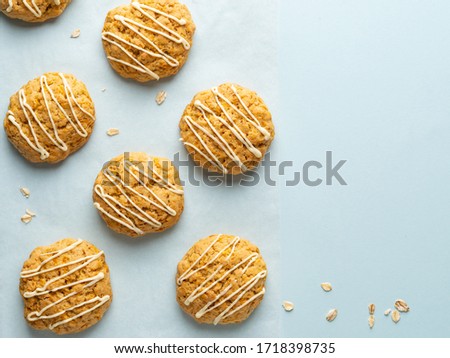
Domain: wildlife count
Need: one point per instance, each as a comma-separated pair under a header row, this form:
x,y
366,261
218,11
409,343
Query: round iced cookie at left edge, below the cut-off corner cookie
x,y
50,118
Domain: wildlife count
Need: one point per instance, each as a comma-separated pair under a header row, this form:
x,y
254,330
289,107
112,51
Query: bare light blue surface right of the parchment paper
x,y
370,81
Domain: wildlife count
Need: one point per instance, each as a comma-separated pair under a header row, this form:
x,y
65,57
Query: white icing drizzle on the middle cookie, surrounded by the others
x,y
137,213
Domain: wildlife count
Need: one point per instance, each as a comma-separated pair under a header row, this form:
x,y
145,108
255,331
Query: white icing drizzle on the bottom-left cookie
x,y
88,282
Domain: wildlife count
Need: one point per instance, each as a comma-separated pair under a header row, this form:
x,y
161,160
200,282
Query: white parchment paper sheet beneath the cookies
x,y
235,41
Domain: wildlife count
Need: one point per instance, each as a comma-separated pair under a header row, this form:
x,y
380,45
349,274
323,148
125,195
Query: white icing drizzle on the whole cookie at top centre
x,y
134,26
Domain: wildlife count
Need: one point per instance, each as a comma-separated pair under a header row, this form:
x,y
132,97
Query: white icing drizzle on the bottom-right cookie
x,y
210,282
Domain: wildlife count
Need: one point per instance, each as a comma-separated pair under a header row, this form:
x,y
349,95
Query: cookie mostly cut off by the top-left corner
x,y
33,10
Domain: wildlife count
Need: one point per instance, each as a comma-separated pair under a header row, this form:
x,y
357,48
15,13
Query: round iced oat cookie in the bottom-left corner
x,y
65,286
